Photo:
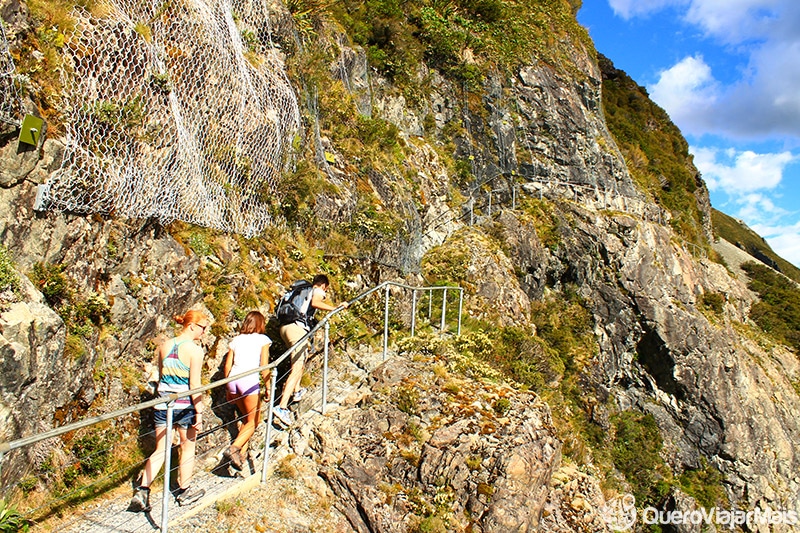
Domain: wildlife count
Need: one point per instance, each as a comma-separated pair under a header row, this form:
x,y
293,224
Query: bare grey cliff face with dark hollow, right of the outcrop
x,y
714,392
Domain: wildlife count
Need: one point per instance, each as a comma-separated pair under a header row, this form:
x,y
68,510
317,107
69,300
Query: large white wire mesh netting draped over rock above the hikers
x,y
175,109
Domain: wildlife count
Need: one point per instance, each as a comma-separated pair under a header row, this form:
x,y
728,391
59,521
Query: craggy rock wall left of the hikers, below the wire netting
x,y
144,277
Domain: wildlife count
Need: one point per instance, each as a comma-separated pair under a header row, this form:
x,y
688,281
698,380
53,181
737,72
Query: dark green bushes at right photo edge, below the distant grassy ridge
x,y
778,312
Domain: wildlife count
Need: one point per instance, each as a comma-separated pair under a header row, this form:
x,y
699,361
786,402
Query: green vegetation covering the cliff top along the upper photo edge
x,y
463,39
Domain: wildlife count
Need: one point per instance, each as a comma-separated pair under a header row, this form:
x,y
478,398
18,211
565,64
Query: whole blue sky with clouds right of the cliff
x,y
728,74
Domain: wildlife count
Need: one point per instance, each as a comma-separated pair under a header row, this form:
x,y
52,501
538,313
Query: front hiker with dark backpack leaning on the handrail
x,y
295,313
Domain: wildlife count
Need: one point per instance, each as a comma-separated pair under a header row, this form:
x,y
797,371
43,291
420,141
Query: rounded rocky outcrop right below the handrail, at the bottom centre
x,y
421,445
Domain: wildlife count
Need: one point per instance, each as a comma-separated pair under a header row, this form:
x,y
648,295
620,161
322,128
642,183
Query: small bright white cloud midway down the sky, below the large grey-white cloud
x,y
740,173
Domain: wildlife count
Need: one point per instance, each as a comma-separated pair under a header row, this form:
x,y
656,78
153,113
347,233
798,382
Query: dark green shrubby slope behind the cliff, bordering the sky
x,y
655,151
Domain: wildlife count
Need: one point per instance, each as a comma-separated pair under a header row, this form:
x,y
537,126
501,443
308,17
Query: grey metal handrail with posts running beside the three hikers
x,y
324,324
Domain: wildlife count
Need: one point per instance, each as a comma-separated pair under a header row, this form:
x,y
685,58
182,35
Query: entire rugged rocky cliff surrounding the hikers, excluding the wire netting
x,y
584,230
